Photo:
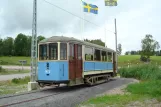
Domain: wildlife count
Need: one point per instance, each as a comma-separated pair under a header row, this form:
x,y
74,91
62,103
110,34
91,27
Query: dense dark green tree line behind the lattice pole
x,y
20,46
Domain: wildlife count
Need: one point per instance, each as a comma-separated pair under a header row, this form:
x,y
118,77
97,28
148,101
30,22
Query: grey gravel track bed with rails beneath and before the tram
x,y
70,96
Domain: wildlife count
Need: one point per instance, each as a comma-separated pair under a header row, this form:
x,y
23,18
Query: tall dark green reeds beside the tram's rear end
x,y
142,72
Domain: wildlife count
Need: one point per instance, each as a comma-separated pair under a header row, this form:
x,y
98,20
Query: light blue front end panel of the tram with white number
x,y
53,71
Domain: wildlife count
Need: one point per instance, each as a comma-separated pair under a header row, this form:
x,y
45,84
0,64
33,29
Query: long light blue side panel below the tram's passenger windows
x,y
97,66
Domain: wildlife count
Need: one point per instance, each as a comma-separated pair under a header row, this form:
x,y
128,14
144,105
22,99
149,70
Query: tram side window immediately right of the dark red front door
x,y
88,53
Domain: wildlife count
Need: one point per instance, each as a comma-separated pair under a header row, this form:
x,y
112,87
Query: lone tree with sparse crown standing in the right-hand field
x,y
149,45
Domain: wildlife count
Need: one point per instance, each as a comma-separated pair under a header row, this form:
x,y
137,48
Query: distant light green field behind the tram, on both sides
x,y
122,60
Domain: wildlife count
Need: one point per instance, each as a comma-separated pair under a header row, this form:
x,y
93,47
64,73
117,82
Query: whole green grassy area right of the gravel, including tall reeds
x,y
148,88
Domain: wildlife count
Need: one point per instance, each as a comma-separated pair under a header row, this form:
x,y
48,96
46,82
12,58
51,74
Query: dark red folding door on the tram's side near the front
x,y
75,61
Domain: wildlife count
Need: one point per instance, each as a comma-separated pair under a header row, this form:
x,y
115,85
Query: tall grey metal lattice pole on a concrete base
x,y
33,84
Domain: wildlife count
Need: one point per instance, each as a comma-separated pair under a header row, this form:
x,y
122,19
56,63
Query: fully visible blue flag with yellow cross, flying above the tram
x,y
90,8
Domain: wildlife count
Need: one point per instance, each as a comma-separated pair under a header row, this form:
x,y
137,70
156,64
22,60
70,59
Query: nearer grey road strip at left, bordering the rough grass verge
x,y
12,76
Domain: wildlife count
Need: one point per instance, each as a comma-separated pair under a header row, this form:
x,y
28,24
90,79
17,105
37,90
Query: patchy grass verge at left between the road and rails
x,y
16,85
